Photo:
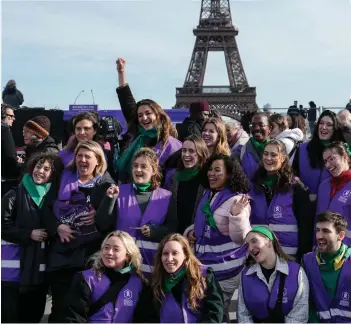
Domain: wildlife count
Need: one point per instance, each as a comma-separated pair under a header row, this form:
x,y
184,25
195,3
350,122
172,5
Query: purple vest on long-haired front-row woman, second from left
x,y
173,312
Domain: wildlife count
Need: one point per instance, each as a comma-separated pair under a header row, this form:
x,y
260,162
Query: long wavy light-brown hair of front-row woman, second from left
x,y
193,272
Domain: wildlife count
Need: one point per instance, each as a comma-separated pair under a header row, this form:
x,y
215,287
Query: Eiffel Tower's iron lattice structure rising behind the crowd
x,y
216,32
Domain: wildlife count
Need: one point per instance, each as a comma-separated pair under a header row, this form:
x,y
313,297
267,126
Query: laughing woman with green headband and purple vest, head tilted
x,y
273,288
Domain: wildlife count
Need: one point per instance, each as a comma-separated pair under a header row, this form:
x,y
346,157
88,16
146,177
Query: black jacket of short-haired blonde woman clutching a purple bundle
x,y
60,255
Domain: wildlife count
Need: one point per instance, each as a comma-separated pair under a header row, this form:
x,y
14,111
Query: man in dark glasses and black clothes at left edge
x,y
10,168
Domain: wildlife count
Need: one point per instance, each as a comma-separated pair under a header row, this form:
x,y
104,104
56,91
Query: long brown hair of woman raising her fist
x,y
165,128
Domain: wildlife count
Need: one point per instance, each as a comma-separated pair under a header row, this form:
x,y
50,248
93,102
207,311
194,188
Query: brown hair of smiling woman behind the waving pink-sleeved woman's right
x,y
285,173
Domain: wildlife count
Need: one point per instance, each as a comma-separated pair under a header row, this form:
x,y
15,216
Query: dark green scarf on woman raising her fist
x,y
125,161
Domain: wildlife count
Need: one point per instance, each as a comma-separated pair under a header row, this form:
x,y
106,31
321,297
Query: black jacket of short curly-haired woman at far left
x,y
19,217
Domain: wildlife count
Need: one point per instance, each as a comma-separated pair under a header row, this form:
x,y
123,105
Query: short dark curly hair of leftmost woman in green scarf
x,y
54,161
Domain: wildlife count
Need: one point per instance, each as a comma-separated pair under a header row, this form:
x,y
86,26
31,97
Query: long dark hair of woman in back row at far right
x,y
315,148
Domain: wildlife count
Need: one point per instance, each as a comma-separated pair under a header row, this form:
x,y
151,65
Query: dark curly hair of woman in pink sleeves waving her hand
x,y
238,181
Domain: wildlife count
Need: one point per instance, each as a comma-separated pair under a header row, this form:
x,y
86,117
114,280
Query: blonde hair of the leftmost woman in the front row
x,y
133,253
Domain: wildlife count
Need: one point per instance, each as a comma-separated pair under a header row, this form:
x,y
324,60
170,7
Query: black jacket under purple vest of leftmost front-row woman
x,y
79,299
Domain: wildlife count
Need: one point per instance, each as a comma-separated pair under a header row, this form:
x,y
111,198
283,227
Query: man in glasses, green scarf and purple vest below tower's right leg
x,y
250,154
